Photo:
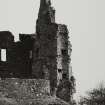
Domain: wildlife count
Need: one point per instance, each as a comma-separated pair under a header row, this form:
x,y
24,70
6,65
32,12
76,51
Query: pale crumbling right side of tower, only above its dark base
x,y
62,52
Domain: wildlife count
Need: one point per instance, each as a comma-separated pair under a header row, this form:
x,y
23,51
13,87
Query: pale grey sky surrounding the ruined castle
x,y
86,24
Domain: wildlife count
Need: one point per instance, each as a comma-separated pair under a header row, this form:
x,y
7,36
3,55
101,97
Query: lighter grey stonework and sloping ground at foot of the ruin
x,y
15,91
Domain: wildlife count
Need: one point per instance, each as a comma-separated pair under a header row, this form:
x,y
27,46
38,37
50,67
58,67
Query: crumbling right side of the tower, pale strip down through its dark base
x,y
63,61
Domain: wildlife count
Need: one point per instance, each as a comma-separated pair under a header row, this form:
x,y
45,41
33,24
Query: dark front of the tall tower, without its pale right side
x,y
45,47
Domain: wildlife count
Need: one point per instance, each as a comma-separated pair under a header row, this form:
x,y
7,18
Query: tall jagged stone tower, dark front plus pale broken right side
x,y
50,50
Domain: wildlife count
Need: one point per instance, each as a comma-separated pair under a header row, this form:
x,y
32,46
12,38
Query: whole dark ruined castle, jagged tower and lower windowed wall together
x,y
44,55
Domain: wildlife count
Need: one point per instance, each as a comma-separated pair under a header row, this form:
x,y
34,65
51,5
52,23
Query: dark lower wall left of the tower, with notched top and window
x,y
18,55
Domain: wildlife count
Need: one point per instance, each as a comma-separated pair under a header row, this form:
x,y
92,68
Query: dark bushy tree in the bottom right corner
x,y
95,97
